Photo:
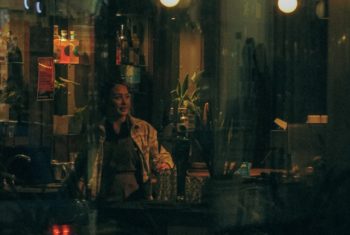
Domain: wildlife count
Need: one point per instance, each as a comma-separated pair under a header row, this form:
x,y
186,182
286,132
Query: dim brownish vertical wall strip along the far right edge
x,y
339,83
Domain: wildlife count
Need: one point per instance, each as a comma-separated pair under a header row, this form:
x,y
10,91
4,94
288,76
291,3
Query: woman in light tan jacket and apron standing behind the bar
x,y
129,152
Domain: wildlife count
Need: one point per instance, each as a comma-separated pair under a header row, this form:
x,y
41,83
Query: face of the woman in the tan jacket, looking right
x,y
121,100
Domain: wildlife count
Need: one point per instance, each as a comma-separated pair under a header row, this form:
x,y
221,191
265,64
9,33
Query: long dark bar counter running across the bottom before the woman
x,y
266,201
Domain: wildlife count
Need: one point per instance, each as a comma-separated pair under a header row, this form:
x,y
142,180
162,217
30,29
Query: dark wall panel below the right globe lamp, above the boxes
x,y
300,63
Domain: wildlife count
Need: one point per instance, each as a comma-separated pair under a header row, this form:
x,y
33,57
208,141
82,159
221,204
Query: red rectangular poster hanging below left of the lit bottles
x,y
46,78
